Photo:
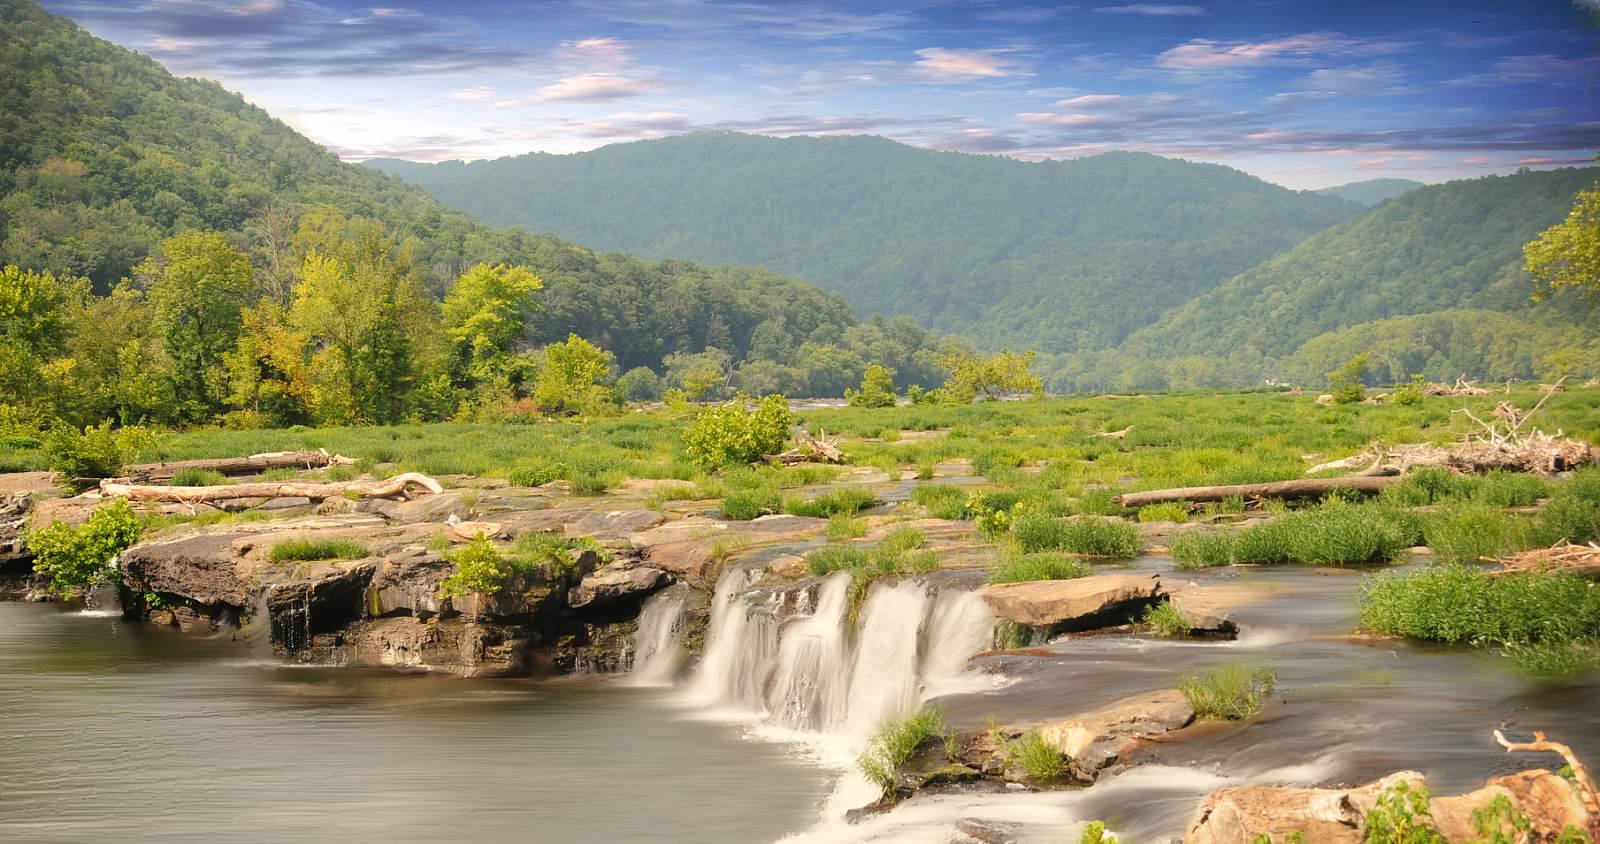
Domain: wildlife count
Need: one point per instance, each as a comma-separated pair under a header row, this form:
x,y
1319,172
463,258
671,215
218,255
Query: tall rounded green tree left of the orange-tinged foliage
x,y
199,289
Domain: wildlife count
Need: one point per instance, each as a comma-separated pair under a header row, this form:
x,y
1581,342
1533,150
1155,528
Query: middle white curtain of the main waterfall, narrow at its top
x,y
810,682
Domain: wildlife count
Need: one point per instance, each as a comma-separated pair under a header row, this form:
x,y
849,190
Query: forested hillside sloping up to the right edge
x,y
1434,250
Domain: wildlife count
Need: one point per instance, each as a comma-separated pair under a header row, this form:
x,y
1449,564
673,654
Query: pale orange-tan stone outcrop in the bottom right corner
x,y
1338,816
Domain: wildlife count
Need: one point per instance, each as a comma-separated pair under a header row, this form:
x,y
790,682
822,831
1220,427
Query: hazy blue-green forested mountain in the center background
x,y
1054,255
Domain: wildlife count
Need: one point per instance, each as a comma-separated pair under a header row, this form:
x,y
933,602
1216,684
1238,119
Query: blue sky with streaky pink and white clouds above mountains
x,y
1305,94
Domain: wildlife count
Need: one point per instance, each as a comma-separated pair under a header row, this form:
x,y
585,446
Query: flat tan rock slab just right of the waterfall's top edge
x,y
1071,605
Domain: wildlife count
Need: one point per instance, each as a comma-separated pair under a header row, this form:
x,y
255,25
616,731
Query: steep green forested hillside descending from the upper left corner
x,y
105,156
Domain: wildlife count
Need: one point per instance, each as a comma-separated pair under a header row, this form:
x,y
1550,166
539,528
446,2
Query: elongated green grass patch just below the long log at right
x,y
1330,535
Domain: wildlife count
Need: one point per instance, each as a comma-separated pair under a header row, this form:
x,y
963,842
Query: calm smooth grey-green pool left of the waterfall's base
x,y
119,733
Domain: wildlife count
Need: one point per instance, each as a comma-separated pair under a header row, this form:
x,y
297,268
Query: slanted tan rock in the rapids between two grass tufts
x,y
1111,735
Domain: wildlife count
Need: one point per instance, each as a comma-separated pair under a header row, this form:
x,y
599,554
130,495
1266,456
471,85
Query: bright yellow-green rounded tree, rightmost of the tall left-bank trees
x,y
486,313
